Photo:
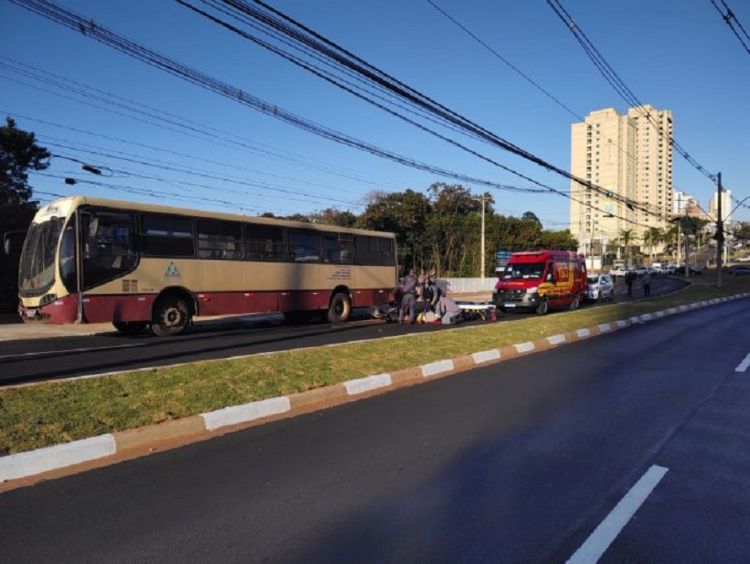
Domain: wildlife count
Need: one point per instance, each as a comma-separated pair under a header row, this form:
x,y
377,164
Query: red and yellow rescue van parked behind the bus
x,y
541,280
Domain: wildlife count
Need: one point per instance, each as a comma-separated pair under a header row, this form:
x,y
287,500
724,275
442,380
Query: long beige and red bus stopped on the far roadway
x,y
93,260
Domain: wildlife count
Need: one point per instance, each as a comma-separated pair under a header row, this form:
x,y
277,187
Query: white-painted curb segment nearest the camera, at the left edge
x,y
59,456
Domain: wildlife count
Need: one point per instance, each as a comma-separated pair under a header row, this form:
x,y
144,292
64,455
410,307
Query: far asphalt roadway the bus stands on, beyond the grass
x,y
63,357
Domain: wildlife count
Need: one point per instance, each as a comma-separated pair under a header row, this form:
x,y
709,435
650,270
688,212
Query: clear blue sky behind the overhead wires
x,y
674,54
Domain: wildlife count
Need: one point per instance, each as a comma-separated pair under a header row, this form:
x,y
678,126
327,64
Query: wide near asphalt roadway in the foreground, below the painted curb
x,y
516,462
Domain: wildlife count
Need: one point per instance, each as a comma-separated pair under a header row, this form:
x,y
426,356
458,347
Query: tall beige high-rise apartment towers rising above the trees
x,y
629,155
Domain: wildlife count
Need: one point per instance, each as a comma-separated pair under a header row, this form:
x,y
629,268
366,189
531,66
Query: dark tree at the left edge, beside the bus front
x,y
19,153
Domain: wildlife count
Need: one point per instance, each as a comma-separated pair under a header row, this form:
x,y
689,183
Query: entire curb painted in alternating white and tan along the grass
x,y
130,443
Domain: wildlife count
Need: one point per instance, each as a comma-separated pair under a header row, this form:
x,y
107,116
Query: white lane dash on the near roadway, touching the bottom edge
x,y
607,531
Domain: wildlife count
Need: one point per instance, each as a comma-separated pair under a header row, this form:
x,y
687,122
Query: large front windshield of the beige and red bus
x,y
37,267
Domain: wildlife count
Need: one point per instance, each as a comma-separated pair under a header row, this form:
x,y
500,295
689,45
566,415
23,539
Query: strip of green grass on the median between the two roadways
x,y
55,412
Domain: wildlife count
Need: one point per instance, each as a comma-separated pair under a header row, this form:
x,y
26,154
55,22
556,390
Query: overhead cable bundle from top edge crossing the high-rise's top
x,y
619,85
